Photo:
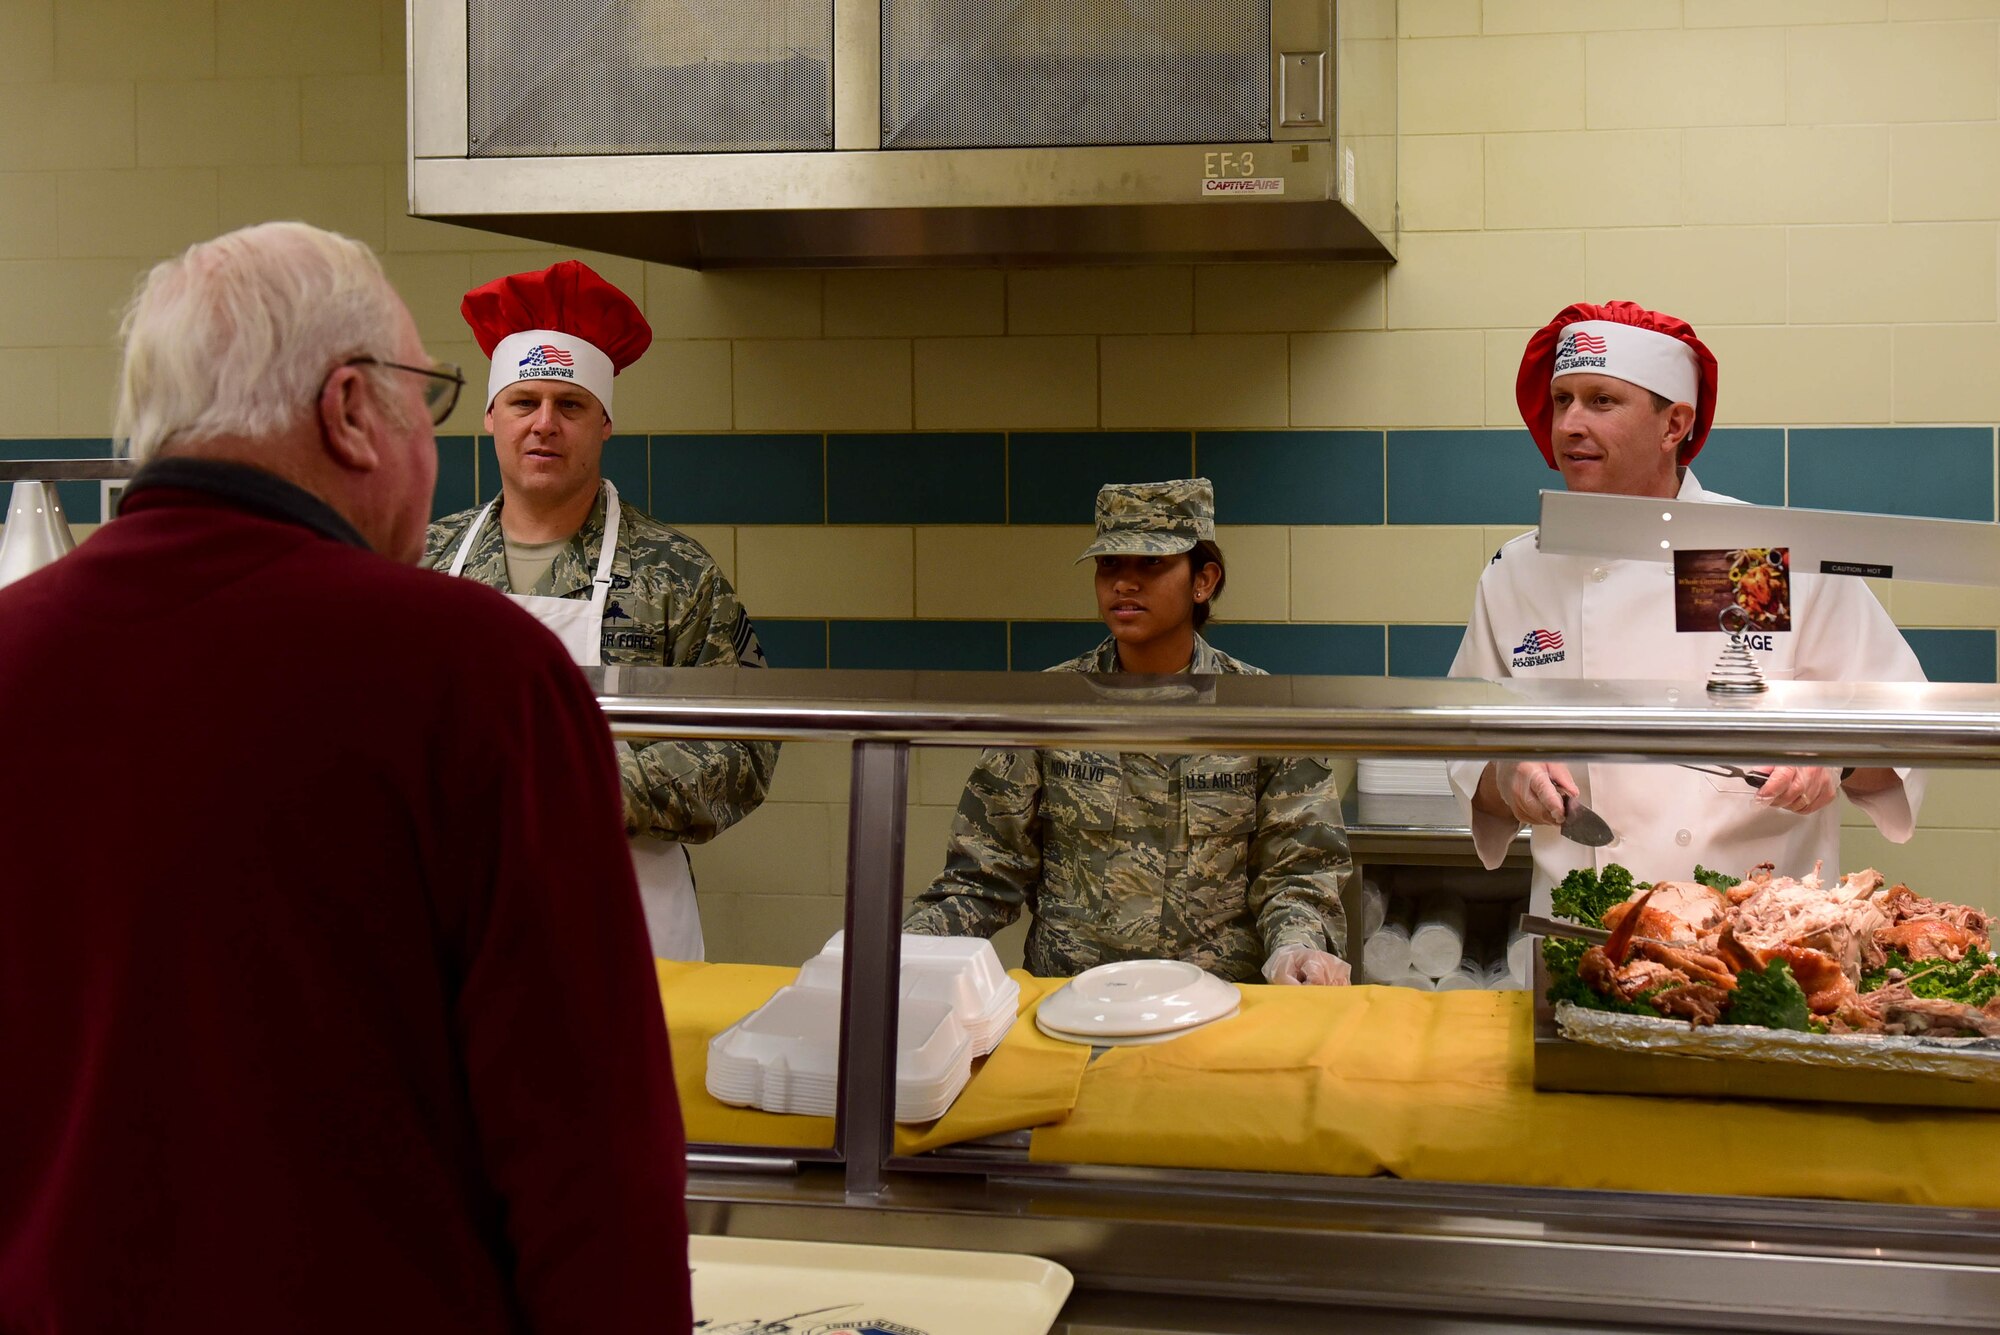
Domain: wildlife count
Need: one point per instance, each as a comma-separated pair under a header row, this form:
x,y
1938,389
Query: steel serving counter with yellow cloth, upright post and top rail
x,y
1373,1152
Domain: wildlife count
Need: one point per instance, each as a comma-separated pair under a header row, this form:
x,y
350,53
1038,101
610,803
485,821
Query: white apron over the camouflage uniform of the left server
x,y
665,878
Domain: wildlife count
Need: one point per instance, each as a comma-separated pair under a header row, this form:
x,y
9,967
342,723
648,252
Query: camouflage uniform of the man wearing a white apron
x,y
669,609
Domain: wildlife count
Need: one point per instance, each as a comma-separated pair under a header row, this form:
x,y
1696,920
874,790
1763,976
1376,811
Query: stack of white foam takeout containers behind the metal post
x,y
785,1056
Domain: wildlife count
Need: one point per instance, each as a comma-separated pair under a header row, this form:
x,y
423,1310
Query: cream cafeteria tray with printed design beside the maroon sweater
x,y
753,1284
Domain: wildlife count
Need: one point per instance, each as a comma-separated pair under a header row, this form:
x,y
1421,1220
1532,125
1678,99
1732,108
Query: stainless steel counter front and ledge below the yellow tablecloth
x,y
1289,1254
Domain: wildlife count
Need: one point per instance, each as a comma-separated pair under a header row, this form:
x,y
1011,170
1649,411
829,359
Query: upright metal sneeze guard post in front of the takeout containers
x,y
865,1130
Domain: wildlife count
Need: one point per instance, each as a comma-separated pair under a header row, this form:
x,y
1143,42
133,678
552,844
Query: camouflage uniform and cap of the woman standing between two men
x,y
1219,860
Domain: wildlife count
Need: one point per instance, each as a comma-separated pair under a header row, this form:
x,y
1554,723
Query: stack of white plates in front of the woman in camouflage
x,y
1135,1002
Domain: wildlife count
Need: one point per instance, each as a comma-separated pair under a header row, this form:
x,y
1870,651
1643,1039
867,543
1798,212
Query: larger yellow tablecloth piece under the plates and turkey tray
x,y
1441,1086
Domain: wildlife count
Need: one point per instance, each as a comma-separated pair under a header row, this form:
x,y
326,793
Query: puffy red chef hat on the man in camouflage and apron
x,y
563,323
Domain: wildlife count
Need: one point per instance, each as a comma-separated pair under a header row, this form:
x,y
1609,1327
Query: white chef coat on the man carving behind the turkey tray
x,y
1617,621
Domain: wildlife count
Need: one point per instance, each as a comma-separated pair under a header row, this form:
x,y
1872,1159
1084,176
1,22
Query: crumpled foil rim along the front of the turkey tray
x,y
1963,1060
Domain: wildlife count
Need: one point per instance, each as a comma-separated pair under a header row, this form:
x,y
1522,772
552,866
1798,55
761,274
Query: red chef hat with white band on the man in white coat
x,y
1623,341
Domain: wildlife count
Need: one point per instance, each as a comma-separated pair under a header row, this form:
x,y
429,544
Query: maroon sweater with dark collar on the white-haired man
x,y
325,996
